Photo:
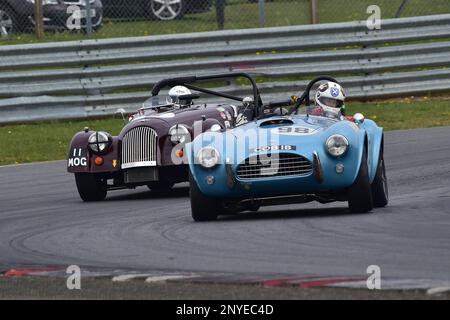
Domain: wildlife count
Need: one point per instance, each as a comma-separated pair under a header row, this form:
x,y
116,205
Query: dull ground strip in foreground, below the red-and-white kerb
x,y
48,288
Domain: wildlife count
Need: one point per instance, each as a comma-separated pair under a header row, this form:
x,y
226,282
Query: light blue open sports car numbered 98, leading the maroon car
x,y
287,153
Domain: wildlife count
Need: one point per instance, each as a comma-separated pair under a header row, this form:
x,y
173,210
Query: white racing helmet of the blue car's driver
x,y
330,96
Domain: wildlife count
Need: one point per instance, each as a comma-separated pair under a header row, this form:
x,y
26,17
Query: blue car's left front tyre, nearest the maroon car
x,y
203,208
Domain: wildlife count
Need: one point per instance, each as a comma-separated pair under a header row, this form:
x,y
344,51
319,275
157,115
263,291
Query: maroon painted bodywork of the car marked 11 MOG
x,y
208,115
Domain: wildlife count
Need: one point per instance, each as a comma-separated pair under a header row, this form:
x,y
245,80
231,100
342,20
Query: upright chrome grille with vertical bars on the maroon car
x,y
139,146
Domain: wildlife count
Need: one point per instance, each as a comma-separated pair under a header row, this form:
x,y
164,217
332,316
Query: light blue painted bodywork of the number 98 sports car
x,y
237,145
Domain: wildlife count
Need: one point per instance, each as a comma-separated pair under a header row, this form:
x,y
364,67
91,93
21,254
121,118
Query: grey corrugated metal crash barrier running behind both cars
x,y
86,78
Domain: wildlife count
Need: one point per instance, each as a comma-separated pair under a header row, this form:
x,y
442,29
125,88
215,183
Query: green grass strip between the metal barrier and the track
x,y
49,140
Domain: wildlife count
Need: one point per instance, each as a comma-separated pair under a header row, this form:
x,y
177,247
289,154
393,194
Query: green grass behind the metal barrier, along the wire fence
x,y
242,14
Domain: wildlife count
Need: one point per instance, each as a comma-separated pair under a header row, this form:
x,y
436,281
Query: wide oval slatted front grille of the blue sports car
x,y
284,164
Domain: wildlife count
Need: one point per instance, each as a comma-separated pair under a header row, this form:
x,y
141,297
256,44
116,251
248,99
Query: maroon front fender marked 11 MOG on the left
x,y
81,159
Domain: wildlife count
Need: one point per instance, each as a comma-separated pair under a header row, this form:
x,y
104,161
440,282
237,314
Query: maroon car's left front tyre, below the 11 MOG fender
x,y
91,187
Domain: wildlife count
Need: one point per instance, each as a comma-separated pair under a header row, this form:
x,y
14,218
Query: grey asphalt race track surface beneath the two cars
x,y
44,223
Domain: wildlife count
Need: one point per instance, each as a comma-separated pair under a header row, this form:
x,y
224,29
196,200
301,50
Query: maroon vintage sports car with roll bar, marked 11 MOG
x,y
149,149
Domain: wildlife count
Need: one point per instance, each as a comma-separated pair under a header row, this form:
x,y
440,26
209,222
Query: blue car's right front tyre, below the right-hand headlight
x,y
360,193
